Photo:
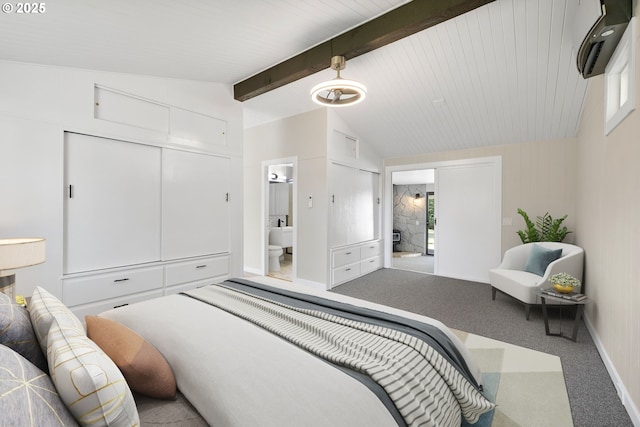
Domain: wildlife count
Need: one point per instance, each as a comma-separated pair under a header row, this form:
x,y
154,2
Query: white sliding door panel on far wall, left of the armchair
x,y
468,212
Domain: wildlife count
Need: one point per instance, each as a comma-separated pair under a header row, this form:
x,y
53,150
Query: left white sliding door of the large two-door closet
x,y
112,205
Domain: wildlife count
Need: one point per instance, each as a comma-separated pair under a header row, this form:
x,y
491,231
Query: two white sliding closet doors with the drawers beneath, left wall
x,y
141,221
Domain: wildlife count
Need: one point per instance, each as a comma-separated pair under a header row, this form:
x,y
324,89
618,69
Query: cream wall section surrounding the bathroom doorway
x,y
303,136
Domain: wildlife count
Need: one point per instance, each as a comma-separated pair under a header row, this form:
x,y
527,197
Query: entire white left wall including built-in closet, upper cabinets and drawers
x,y
151,163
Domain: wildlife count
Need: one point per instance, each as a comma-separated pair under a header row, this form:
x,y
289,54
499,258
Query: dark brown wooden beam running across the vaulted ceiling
x,y
401,22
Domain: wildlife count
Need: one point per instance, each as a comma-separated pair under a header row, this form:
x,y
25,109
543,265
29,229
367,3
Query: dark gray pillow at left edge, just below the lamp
x,y
17,333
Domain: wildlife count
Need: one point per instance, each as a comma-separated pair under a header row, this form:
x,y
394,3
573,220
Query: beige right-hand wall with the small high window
x,y
608,228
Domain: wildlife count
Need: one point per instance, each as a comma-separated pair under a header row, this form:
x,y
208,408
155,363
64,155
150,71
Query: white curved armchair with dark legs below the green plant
x,y
511,278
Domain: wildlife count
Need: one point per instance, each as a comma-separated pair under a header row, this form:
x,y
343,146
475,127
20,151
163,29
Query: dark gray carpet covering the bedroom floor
x,y
468,306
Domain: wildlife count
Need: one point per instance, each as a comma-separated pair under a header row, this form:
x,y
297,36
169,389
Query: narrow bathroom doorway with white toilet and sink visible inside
x,y
279,178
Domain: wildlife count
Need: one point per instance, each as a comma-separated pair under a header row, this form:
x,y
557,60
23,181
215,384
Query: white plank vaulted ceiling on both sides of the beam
x,y
502,73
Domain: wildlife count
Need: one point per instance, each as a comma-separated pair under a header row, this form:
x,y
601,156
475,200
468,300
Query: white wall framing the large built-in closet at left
x,y
39,103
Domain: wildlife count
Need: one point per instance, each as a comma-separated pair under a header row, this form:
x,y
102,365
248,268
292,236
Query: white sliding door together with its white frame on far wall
x,y
467,220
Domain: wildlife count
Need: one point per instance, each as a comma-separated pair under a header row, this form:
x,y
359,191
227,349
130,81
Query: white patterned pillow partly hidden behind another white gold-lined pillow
x,y
43,308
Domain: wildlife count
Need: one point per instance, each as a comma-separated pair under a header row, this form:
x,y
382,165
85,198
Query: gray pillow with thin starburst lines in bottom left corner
x,y
27,395
